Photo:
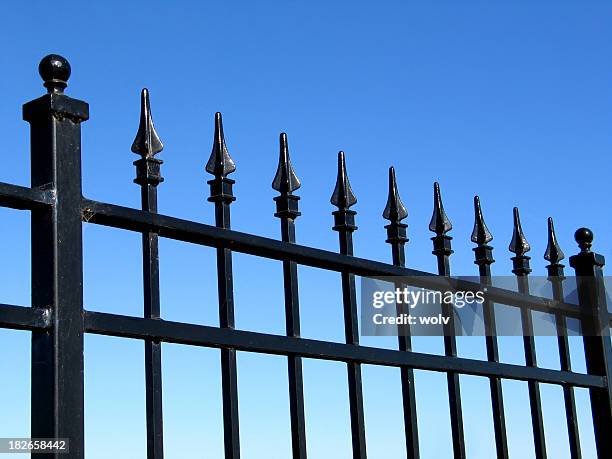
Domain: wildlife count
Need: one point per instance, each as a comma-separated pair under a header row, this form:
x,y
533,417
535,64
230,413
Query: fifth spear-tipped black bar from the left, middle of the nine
x,y
395,212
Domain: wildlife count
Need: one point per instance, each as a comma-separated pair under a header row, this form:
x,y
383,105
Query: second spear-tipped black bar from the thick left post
x,y
220,164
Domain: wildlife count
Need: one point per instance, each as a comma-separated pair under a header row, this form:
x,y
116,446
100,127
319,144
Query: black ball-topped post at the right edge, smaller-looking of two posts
x,y
596,331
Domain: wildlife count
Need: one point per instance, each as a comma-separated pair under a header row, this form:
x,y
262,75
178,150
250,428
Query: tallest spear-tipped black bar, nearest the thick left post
x,y
147,144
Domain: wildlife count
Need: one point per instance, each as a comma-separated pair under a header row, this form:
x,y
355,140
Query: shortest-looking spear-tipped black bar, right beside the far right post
x,y
554,255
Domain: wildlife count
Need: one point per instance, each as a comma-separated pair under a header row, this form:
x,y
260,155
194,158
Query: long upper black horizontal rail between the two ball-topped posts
x,y
200,233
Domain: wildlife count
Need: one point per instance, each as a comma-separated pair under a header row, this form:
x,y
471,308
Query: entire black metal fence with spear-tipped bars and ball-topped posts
x,y
58,321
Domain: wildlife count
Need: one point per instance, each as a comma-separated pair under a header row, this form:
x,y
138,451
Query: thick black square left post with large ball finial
x,y
57,265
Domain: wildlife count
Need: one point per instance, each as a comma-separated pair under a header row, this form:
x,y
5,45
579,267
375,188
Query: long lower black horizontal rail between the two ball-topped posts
x,y
201,335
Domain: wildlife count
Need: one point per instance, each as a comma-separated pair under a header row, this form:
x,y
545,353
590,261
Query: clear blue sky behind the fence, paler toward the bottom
x,y
509,101
